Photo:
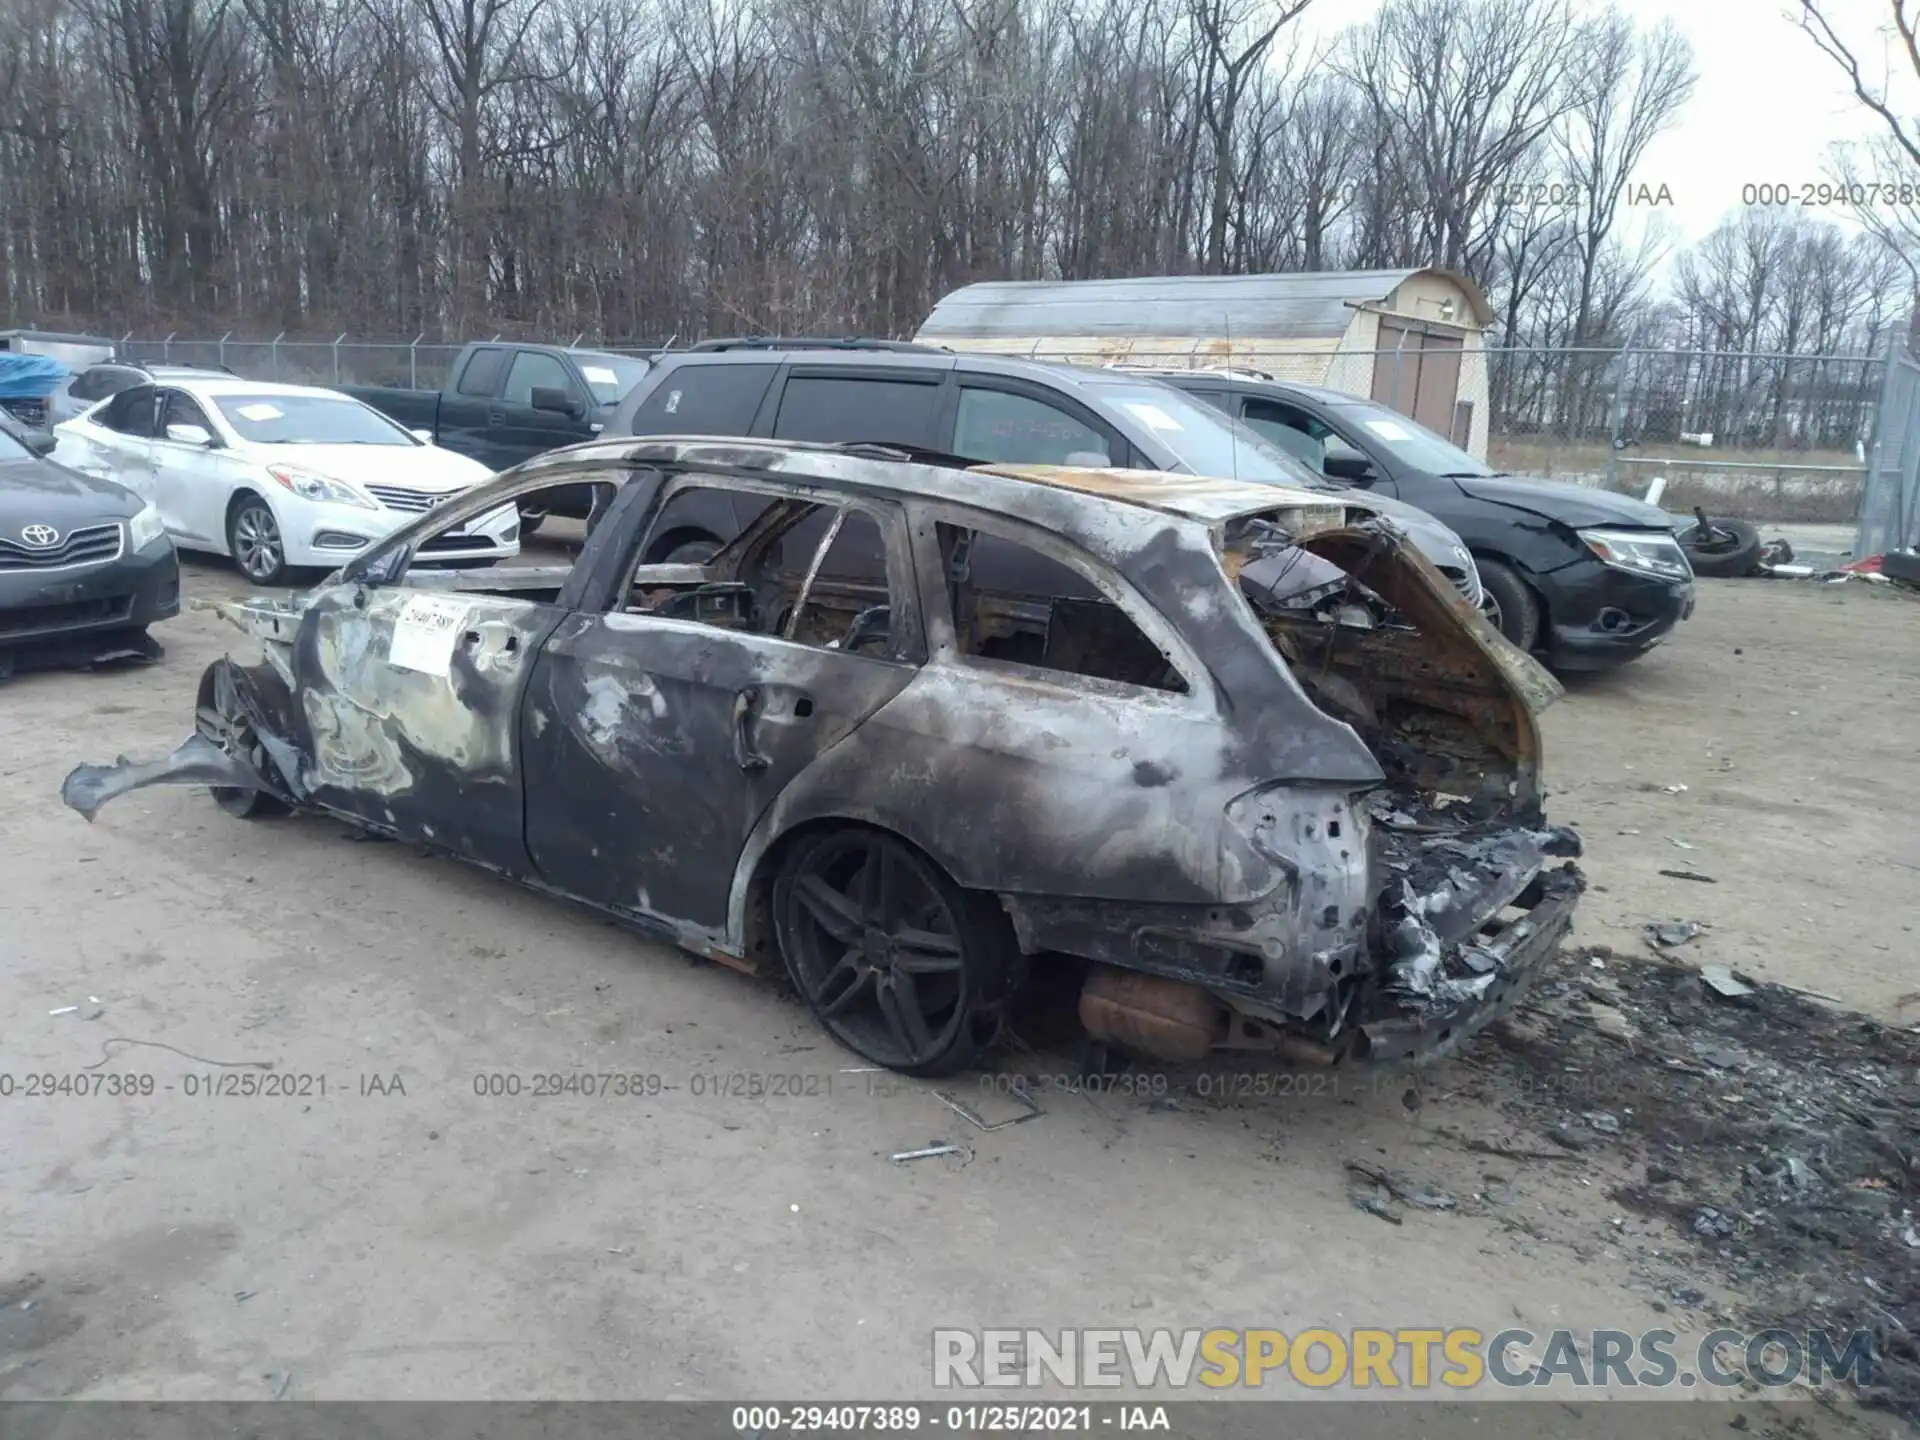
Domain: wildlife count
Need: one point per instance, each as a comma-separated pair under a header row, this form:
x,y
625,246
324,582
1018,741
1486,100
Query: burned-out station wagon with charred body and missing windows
x,y
1237,756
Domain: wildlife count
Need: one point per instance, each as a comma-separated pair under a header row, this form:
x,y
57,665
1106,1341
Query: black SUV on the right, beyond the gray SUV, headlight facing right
x,y
1581,575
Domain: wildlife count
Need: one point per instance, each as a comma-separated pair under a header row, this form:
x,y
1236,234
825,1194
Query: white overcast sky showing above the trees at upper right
x,y
1767,107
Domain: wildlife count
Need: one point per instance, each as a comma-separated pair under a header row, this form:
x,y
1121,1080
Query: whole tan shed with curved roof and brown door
x,y
1408,339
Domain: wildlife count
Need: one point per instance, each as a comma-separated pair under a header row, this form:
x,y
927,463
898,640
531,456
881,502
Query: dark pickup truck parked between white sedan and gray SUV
x,y
508,402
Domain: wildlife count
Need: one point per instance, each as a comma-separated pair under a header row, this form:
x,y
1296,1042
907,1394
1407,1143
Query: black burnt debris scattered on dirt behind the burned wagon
x,y
1777,1136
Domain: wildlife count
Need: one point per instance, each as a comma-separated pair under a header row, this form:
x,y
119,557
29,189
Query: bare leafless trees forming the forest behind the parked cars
x,y
681,168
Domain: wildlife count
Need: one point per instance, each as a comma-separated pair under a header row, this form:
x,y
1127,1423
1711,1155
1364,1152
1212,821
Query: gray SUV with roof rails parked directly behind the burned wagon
x,y
976,408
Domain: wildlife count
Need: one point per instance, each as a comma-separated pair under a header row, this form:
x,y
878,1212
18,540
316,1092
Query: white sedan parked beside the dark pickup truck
x,y
279,477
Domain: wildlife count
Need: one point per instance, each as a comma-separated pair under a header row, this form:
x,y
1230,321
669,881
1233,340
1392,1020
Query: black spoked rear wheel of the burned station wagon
x,y
896,961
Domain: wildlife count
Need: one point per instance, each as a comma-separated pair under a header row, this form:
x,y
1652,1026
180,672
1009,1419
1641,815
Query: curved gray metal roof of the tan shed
x,y
1316,304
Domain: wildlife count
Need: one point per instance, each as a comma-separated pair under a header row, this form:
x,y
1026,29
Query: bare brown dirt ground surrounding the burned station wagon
x,y
410,1236
